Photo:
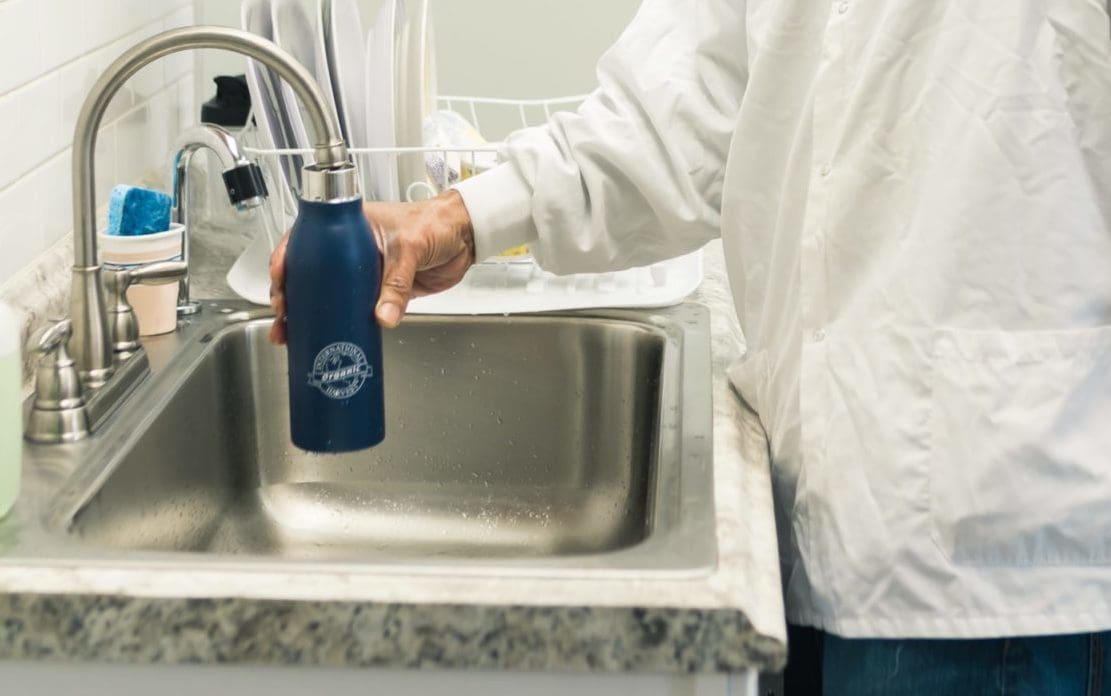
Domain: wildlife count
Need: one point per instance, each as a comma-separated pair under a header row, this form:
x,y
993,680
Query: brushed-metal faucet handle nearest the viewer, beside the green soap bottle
x,y
58,413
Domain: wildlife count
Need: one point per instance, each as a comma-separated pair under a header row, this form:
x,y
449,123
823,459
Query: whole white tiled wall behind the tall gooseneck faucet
x,y
52,53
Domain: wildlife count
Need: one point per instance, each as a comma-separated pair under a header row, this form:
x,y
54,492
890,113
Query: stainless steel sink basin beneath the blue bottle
x,y
576,440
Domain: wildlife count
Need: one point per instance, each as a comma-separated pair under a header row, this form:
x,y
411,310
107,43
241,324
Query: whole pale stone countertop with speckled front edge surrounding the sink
x,y
728,620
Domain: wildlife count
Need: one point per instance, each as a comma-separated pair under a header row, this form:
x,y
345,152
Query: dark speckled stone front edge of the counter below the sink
x,y
126,630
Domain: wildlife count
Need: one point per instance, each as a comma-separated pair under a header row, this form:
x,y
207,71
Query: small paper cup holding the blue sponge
x,y
156,306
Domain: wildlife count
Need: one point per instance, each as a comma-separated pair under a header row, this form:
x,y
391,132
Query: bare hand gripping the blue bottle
x,y
428,247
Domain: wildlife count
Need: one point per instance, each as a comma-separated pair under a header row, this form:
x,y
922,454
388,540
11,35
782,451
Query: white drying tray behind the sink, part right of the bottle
x,y
523,287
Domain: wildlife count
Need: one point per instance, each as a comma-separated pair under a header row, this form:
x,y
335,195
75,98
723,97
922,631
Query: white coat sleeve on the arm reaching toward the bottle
x,y
635,175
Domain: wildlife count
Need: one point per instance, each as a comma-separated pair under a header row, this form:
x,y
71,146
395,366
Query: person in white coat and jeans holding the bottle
x,y
915,202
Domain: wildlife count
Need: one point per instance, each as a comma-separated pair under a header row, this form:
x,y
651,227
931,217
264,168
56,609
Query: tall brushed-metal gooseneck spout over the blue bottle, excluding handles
x,y
92,345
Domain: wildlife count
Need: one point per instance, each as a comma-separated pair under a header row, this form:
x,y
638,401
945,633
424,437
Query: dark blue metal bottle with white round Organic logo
x,y
333,280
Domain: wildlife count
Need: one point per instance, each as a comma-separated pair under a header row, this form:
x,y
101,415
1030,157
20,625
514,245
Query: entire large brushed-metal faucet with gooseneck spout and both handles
x,y
101,345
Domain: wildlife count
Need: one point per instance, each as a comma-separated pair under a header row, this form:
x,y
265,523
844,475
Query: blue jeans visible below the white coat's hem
x,y
1072,665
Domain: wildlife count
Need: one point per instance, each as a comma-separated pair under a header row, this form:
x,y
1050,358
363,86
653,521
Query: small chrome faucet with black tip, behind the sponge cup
x,y
242,178
